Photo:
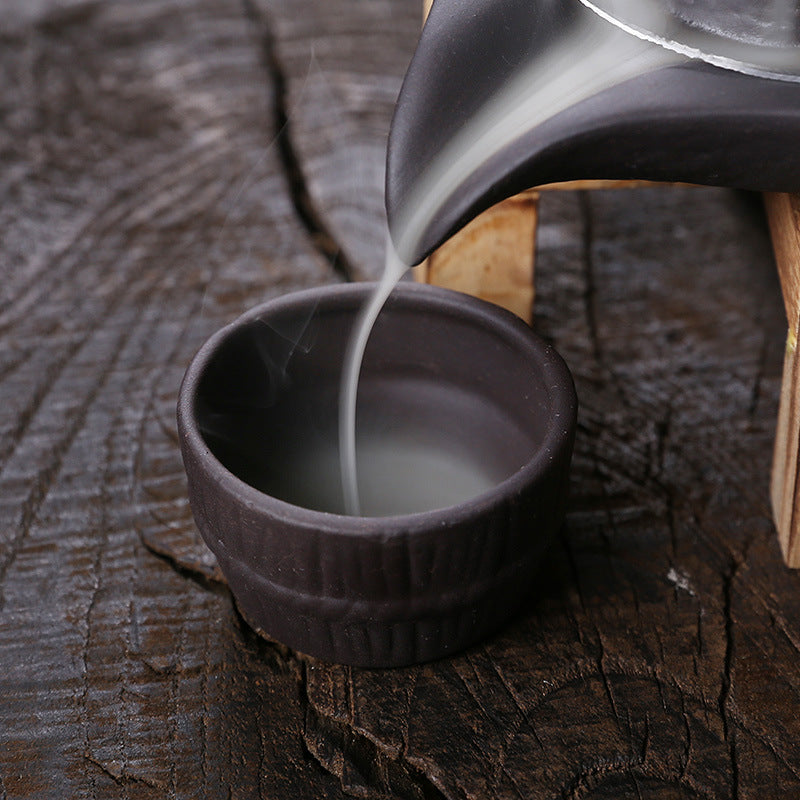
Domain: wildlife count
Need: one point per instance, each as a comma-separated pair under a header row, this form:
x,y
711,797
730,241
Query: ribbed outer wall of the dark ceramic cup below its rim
x,y
377,600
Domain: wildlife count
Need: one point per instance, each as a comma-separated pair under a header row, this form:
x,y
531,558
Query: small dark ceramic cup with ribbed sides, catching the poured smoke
x,y
440,367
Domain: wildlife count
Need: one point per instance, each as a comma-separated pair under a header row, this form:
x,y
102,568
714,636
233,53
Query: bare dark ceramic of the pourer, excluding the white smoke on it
x,y
689,121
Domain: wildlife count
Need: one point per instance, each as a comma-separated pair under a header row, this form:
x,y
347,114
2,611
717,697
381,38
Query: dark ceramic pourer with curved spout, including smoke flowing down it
x,y
504,95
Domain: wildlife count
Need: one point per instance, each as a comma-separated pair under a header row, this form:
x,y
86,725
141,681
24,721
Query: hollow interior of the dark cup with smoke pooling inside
x,y
451,402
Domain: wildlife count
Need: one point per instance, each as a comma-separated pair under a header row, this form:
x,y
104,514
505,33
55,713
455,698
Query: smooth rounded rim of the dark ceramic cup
x,y
558,436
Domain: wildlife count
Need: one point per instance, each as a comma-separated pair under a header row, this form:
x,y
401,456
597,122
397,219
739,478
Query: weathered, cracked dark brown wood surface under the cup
x,y
144,202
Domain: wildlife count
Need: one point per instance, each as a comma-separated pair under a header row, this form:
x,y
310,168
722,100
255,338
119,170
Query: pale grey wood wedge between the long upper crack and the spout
x,y
342,65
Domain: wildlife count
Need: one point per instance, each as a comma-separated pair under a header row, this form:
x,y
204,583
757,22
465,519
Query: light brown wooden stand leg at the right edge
x,y
783,212
